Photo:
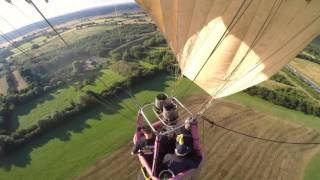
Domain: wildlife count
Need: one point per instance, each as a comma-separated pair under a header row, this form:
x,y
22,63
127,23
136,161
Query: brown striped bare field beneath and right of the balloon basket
x,y
230,156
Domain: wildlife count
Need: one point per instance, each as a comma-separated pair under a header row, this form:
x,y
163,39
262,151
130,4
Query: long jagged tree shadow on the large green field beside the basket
x,y
22,157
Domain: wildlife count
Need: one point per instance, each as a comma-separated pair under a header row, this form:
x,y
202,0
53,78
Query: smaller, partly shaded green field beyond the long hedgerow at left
x,y
29,113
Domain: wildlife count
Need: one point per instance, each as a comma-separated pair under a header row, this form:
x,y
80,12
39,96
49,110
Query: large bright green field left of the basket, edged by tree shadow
x,y
69,150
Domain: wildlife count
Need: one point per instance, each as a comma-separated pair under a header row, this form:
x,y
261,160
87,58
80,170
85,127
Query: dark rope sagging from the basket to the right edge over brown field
x,y
255,137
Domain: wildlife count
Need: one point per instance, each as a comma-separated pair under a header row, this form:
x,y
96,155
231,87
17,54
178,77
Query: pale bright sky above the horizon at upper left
x,y
21,13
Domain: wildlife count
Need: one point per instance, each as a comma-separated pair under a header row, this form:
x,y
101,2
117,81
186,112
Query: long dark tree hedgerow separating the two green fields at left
x,y
11,142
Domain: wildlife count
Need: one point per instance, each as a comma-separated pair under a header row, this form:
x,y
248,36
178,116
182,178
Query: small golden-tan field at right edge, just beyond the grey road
x,y
309,69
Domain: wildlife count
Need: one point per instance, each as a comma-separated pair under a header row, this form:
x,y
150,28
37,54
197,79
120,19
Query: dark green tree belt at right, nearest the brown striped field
x,y
287,97
